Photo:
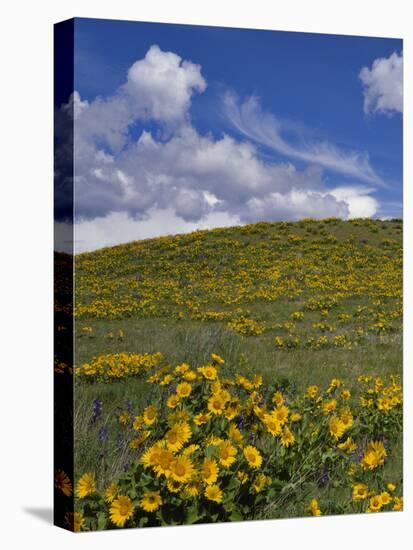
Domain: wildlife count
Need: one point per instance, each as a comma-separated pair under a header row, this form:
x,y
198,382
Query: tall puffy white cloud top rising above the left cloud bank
x,y
158,87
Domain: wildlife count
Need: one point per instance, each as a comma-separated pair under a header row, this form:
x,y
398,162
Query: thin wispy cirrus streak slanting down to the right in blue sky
x,y
265,129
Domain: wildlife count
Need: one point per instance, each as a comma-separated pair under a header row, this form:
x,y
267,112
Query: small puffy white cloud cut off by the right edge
x,y
383,85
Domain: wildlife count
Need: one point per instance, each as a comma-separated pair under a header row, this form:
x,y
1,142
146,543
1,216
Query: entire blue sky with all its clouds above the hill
x,y
280,101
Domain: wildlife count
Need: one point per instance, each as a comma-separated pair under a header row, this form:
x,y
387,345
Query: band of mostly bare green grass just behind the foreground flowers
x,y
193,342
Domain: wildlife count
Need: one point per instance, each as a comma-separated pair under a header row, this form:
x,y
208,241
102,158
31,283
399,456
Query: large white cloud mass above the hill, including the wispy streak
x,y
142,169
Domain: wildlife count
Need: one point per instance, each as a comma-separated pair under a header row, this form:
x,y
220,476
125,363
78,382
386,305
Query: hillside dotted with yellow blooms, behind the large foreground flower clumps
x,y
267,295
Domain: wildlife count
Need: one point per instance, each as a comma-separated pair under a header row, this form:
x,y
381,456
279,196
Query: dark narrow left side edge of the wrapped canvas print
x,y
63,275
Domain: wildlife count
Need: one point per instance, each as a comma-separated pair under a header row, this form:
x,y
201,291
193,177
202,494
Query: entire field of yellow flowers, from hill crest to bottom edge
x,y
242,373
